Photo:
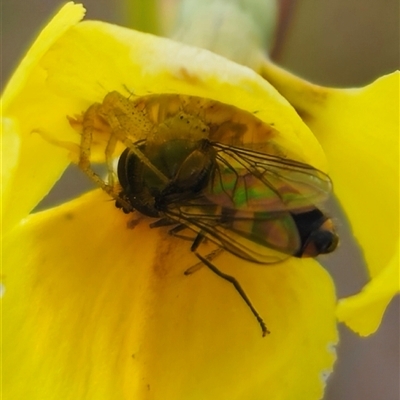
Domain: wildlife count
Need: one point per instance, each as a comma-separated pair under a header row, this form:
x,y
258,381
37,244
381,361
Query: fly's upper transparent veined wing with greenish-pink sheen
x,y
253,181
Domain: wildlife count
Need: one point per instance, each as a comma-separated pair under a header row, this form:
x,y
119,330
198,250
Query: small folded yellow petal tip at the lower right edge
x,y
364,312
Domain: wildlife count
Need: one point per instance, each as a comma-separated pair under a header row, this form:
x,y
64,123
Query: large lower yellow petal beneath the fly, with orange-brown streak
x,y
99,311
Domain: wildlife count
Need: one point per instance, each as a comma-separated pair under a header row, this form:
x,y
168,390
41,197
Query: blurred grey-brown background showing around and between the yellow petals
x,y
331,42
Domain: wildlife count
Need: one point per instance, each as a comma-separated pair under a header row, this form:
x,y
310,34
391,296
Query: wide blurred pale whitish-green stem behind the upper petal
x,y
241,31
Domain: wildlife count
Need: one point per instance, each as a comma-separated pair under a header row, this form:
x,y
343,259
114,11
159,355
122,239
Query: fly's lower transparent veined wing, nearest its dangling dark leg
x,y
263,237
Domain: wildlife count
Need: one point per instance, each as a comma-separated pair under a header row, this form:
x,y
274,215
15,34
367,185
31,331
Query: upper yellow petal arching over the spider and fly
x,y
72,65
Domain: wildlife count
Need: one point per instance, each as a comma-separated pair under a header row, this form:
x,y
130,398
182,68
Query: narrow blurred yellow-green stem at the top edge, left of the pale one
x,y
142,15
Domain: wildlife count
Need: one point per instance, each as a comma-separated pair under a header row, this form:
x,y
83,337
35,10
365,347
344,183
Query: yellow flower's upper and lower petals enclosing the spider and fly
x,y
93,310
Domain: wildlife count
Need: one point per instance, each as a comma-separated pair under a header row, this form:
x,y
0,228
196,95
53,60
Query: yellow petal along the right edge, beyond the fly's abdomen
x,y
359,131
